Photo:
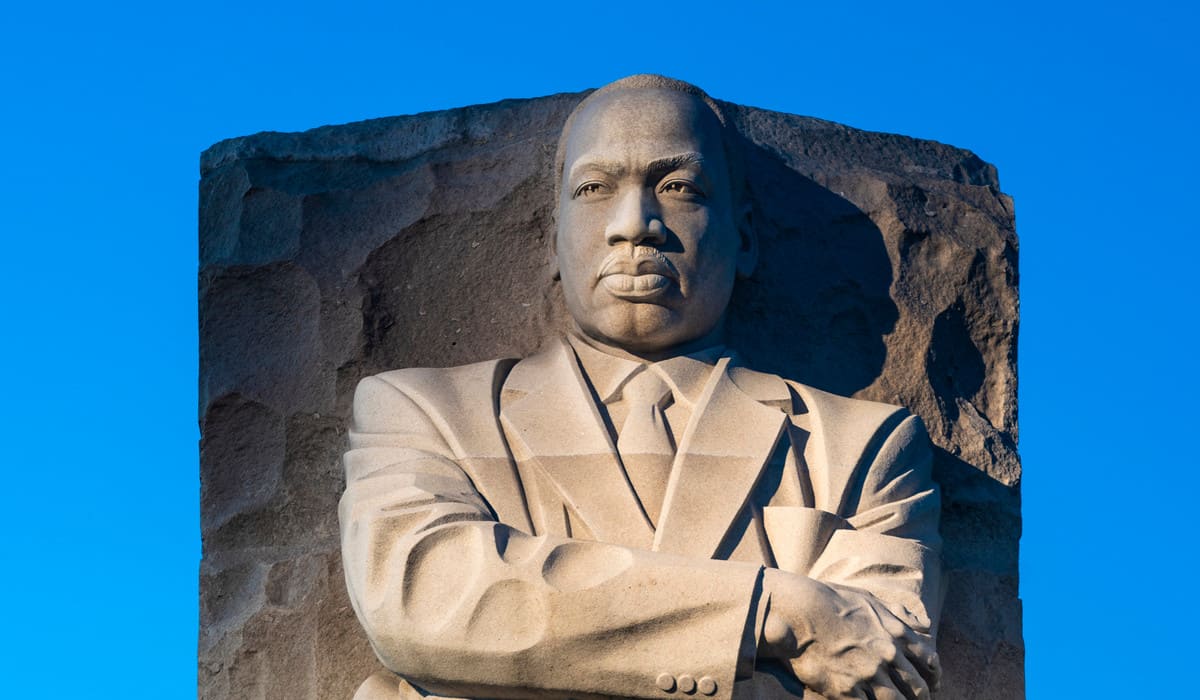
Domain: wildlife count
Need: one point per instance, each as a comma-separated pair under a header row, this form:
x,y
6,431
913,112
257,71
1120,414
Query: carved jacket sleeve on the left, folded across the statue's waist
x,y
463,605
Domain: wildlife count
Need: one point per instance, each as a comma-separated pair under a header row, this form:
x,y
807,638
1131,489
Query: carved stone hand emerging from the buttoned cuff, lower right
x,y
843,643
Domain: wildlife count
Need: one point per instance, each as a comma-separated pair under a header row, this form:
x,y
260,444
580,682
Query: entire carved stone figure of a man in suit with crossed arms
x,y
634,512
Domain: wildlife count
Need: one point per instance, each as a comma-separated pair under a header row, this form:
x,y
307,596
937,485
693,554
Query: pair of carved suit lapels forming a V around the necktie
x,y
549,410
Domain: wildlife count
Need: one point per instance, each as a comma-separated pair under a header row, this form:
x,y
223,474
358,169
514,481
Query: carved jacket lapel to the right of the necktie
x,y
722,456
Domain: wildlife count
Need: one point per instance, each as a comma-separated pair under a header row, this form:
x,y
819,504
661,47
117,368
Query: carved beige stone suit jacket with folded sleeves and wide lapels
x,y
494,547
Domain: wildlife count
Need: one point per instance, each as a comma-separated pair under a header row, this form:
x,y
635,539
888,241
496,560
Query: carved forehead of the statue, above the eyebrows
x,y
645,124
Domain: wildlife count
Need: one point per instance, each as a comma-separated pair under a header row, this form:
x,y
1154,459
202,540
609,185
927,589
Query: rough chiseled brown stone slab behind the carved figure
x,y
889,272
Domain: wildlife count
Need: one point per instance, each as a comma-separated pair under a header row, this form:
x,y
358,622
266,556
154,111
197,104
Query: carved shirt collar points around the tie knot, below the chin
x,y
687,375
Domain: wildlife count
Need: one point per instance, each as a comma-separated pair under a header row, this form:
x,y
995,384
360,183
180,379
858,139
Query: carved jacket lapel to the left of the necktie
x,y
554,417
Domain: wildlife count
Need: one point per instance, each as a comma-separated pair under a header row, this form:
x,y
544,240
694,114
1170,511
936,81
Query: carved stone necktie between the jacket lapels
x,y
645,440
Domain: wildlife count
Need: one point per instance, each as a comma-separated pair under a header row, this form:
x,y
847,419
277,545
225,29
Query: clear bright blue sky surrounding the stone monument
x,y
1090,112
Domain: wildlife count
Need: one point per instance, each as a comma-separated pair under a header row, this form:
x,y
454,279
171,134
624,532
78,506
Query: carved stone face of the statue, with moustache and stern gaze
x,y
649,242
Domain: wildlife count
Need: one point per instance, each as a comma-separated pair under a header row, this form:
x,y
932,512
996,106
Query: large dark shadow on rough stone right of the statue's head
x,y
819,308
